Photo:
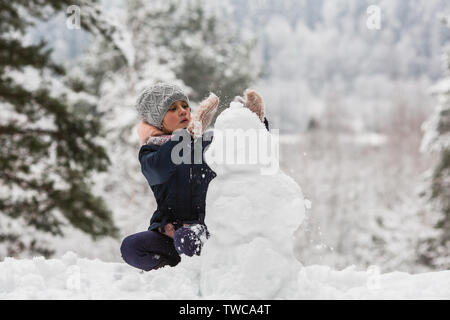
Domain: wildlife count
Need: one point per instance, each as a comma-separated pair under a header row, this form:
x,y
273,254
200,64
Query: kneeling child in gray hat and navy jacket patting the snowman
x,y
177,226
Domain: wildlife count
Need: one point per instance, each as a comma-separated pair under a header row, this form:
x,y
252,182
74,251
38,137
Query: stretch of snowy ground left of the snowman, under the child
x,y
74,278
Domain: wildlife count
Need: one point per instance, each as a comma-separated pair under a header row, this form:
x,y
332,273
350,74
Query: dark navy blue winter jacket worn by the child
x,y
179,189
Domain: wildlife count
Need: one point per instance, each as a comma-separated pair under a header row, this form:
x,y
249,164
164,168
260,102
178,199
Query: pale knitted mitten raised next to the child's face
x,y
202,118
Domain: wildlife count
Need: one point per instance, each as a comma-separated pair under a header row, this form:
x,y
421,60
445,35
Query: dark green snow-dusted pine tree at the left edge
x,y
48,135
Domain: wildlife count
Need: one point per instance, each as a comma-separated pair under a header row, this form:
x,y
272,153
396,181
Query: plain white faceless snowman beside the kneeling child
x,y
252,217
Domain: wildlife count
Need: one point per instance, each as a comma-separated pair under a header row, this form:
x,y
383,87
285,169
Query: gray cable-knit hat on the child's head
x,y
154,102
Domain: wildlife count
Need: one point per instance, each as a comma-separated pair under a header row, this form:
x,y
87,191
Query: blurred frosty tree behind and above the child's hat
x,y
198,42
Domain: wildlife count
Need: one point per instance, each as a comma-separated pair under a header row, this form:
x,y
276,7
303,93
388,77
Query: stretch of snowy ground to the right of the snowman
x,y
322,282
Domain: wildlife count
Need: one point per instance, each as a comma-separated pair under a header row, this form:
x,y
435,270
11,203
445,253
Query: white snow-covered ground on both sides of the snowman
x,y
72,277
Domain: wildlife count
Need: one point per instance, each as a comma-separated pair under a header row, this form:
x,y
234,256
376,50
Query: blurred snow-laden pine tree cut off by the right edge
x,y
434,251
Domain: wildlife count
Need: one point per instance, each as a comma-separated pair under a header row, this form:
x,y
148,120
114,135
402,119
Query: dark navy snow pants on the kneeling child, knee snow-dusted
x,y
151,249
